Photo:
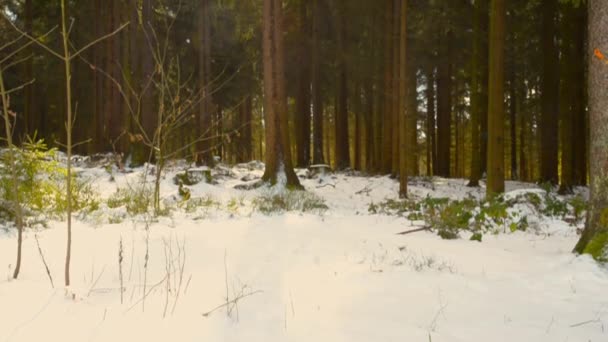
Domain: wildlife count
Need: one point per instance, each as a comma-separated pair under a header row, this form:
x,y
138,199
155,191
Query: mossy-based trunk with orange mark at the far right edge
x,y
594,240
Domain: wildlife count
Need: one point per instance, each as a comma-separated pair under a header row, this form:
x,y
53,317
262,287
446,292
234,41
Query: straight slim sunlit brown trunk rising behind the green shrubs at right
x,y
496,160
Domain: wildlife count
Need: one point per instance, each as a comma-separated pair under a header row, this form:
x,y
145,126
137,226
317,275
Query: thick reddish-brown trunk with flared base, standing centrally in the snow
x,y
278,156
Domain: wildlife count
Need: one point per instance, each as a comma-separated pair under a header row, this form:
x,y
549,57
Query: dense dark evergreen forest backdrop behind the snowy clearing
x,y
354,71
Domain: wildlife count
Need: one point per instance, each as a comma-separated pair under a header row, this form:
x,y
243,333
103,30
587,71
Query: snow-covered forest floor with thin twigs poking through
x,y
338,275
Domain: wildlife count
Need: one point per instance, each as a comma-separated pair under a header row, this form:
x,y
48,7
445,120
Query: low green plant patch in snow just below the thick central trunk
x,y
289,200
